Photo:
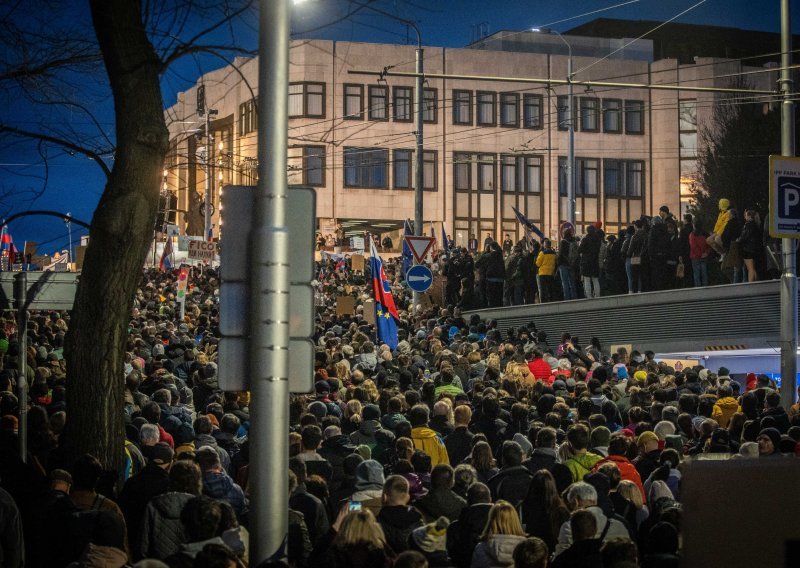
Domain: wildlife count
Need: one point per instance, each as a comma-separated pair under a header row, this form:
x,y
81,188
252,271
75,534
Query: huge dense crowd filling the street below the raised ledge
x,y
464,446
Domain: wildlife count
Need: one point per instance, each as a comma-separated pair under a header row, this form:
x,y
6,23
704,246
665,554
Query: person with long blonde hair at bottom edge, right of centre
x,y
502,534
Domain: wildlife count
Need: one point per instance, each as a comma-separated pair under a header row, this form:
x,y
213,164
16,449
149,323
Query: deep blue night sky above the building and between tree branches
x,y
75,183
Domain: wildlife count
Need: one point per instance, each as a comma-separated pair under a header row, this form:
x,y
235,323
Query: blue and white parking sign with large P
x,y
784,197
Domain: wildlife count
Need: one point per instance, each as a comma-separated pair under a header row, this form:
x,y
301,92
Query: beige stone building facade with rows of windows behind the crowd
x,y
489,145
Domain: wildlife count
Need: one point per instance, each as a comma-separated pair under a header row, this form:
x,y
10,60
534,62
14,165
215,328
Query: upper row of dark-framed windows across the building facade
x,y
481,108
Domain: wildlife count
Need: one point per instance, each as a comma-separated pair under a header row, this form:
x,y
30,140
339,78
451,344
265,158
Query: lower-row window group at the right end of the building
x,y
621,178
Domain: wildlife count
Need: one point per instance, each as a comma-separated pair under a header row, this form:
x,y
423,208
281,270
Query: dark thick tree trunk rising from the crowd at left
x,y
120,236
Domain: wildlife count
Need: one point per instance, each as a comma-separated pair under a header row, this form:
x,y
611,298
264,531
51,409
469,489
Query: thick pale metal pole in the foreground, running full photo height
x,y
269,294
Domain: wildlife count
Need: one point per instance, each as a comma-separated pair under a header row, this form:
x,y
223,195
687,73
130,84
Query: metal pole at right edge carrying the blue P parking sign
x,y
789,276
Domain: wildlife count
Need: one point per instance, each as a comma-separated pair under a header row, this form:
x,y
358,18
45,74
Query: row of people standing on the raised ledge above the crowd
x,y
653,253
